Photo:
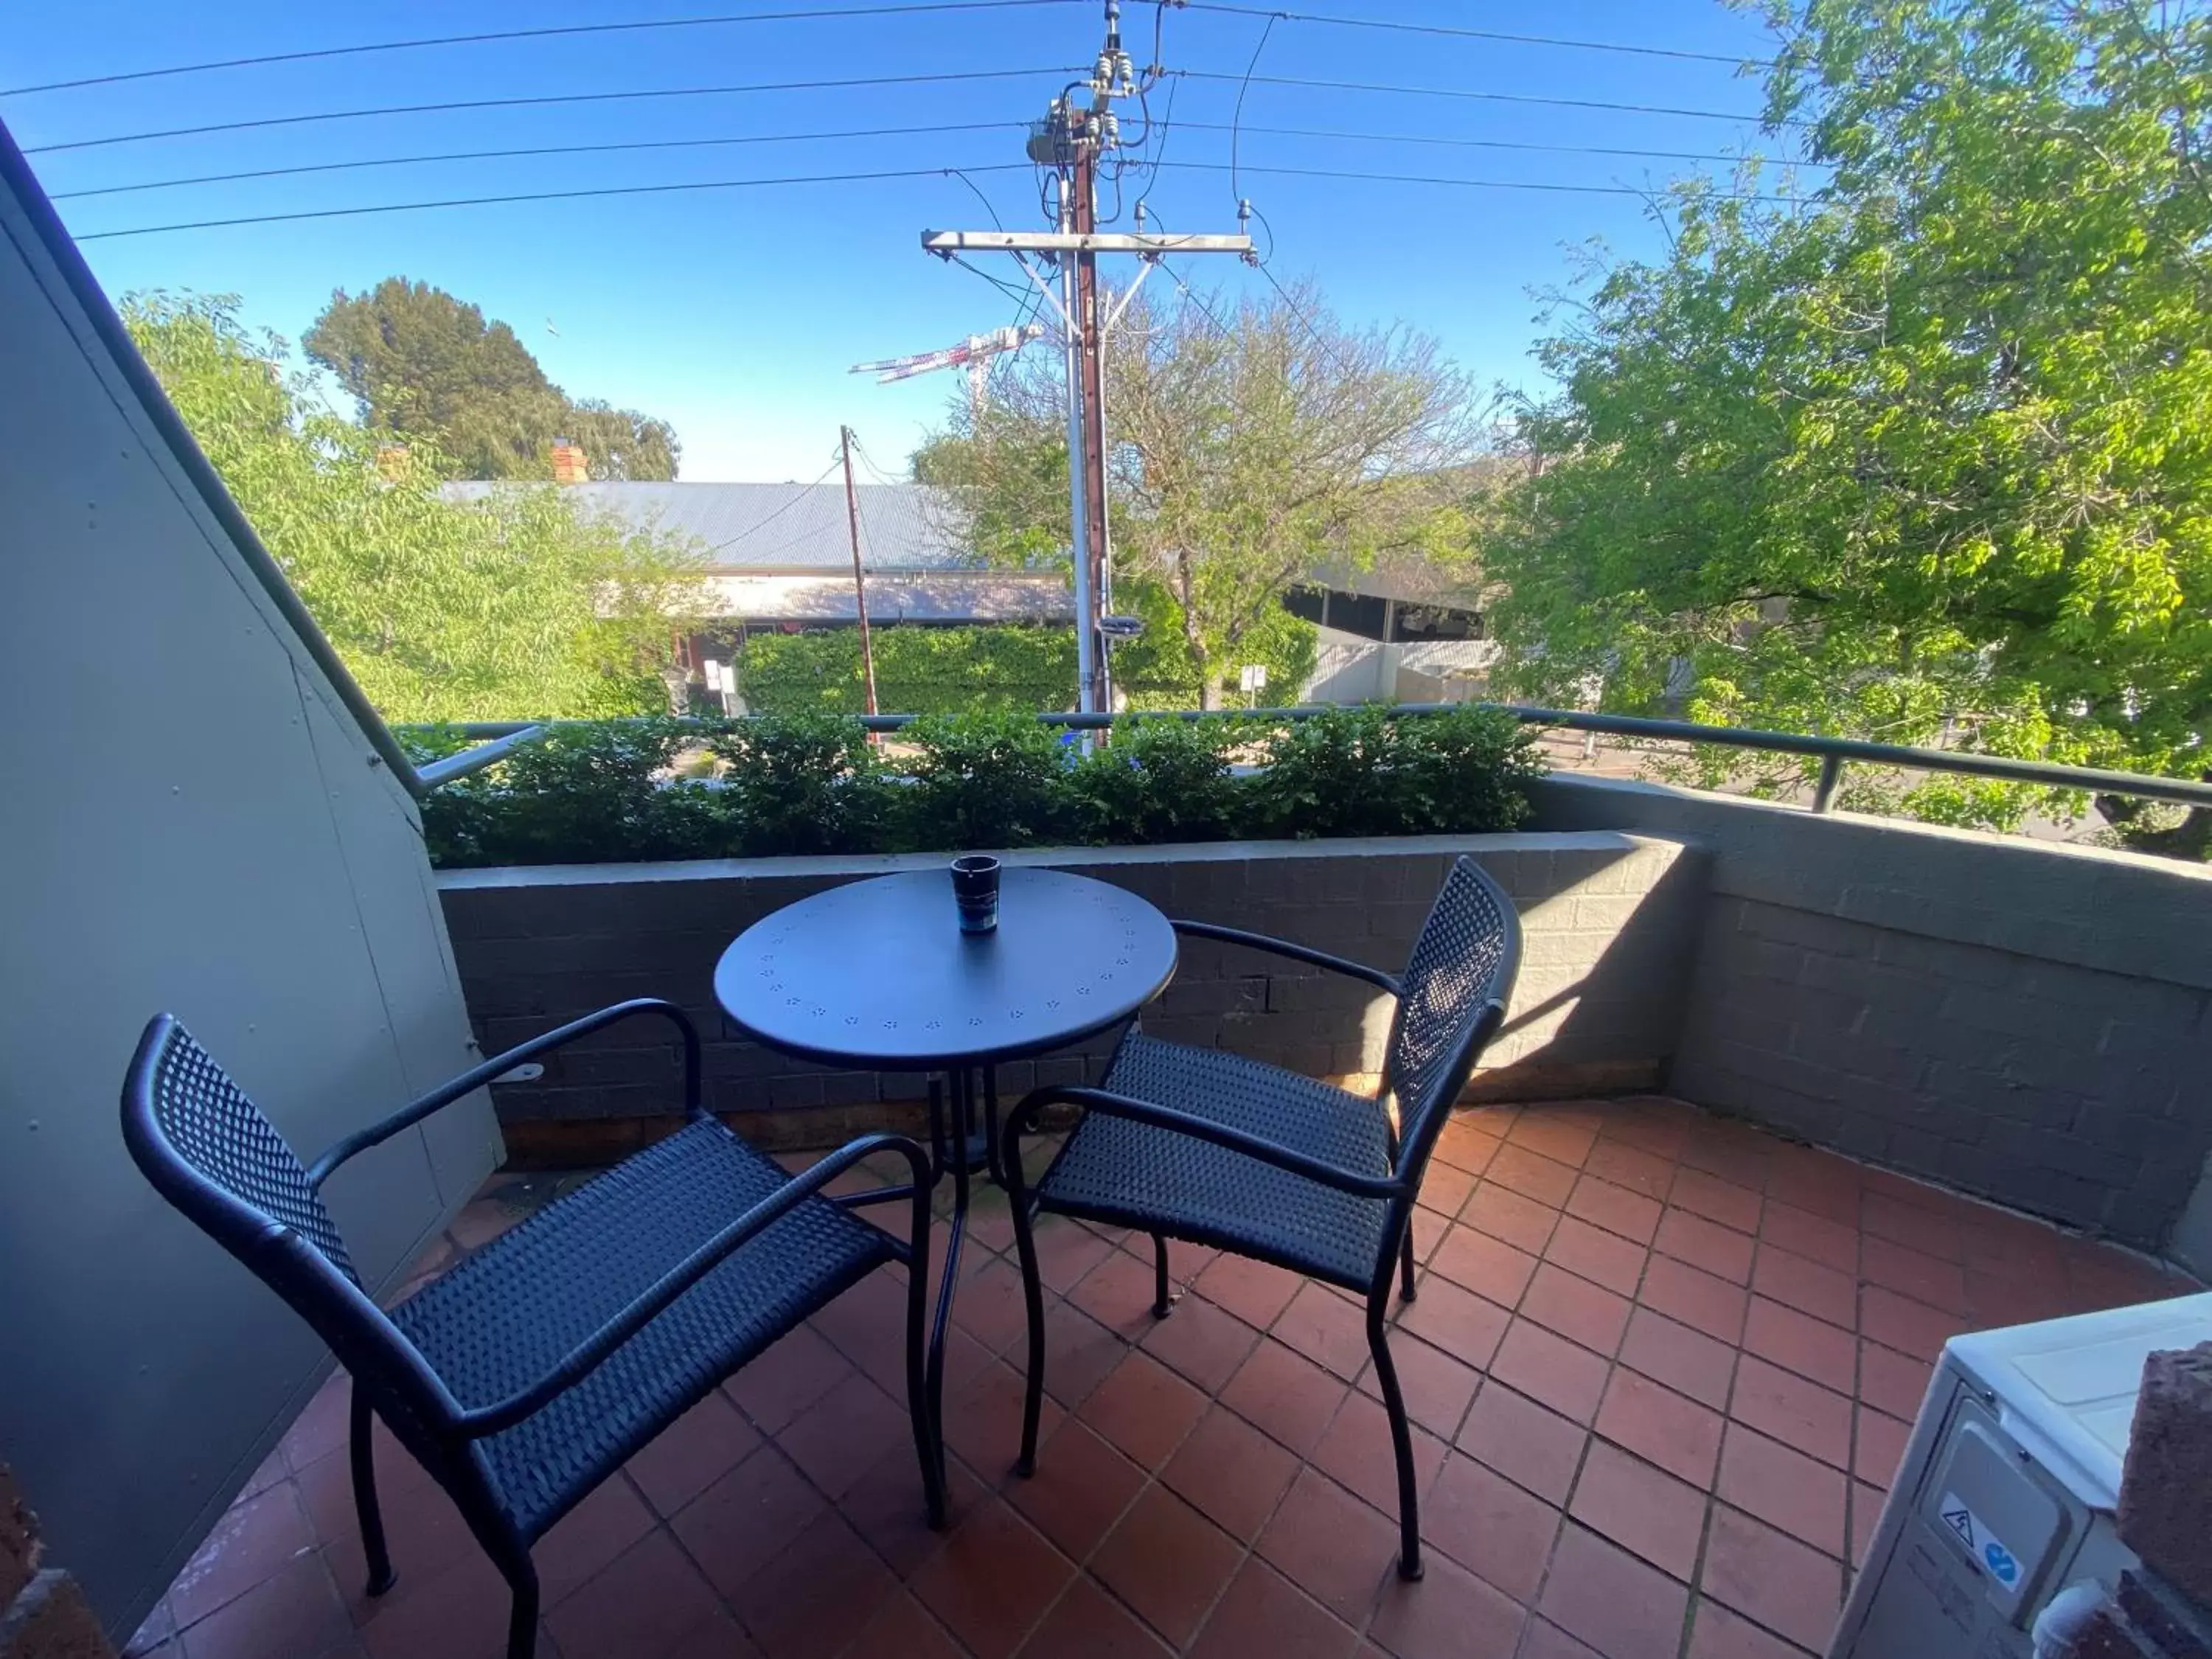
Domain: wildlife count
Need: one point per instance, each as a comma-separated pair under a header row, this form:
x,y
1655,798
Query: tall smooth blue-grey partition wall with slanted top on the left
x,y
191,824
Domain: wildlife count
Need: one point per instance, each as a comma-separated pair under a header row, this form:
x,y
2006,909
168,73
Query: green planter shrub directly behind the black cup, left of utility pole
x,y
988,782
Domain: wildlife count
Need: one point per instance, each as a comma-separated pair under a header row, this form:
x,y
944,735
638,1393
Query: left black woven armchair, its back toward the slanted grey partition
x,y
536,1368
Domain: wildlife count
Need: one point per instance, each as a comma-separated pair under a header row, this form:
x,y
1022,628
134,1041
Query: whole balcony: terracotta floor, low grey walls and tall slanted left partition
x,y
1786,1098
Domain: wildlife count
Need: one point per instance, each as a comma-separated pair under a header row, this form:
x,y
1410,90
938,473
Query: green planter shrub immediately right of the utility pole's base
x,y
1162,780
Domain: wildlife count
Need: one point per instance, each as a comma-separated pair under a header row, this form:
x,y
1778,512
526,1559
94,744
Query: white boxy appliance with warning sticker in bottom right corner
x,y
2010,1485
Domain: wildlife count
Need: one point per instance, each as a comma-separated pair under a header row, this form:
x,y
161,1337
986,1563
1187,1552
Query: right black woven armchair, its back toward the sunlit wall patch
x,y
1222,1151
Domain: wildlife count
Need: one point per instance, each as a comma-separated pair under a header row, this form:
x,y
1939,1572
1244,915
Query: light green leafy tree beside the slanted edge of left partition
x,y
444,612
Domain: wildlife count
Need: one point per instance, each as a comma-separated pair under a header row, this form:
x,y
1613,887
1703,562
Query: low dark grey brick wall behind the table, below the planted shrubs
x,y
1609,924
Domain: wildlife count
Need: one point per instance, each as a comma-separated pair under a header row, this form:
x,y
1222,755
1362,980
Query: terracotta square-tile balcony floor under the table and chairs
x,y
1660,1364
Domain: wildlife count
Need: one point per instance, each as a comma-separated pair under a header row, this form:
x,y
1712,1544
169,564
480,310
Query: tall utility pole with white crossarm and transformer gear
x,y
1072,140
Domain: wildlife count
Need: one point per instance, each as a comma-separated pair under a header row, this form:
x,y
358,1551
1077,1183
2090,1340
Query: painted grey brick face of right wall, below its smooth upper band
x,y
2043,1085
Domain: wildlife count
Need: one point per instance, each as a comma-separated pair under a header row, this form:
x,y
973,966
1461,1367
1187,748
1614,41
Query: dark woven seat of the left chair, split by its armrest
x,y
510,1313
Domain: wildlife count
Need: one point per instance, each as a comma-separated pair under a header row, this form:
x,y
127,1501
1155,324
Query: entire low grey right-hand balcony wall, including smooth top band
x,y
2021,1021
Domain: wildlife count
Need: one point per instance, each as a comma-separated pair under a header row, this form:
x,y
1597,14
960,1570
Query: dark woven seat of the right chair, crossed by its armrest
x,y
1149,1178
